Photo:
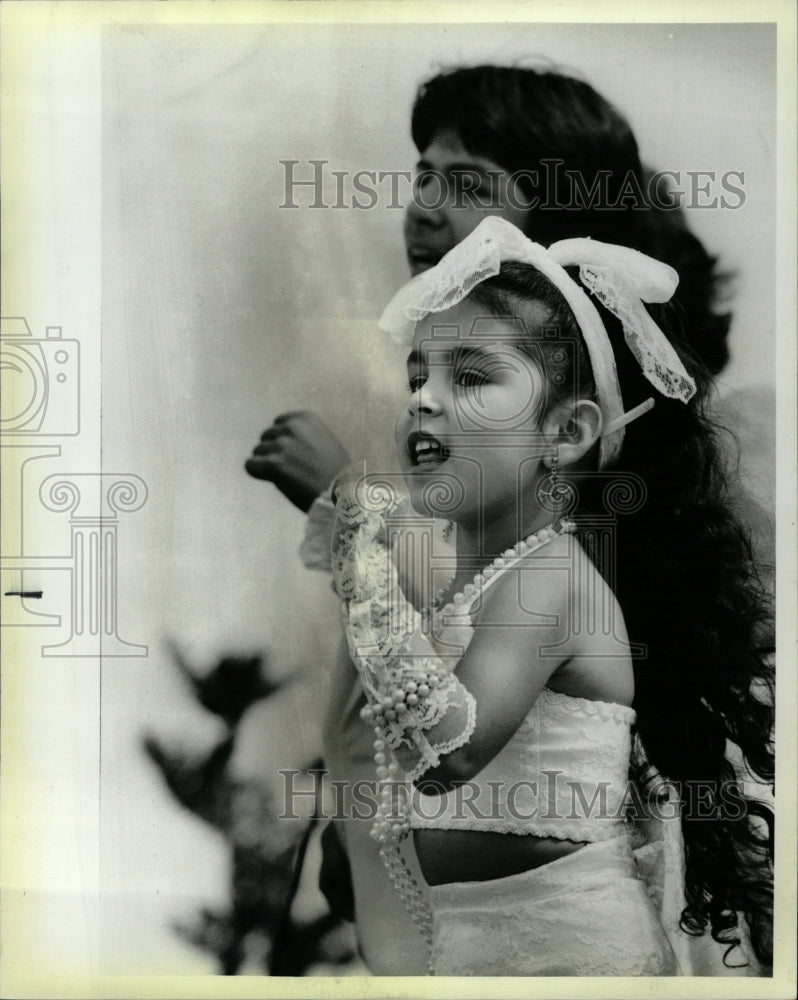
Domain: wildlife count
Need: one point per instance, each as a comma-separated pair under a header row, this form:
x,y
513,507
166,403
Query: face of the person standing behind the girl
x,y
454,192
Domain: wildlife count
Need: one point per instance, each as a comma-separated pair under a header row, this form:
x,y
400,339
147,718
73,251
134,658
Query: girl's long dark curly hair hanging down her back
x,y
684,575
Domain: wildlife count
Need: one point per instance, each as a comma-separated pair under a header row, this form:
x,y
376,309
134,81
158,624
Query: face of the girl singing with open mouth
x,y
469,438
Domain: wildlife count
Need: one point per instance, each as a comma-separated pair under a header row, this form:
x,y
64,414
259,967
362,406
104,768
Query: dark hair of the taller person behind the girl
x,y
520,117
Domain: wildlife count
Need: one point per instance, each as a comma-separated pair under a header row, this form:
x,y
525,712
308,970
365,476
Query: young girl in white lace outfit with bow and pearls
x,y
602,601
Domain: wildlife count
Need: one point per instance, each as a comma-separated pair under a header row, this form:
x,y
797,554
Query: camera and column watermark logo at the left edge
x,y
41,403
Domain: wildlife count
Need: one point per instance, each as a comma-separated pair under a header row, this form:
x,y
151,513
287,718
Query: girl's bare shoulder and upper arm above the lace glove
x,y
512,656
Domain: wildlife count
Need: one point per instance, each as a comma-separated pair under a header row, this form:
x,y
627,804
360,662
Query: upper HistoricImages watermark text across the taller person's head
x,y
552,187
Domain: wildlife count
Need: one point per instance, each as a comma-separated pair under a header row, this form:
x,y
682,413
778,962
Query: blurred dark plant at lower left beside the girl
x,y
267,854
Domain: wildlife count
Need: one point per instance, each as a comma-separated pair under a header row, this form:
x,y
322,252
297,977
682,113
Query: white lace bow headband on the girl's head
x,y
620,278
